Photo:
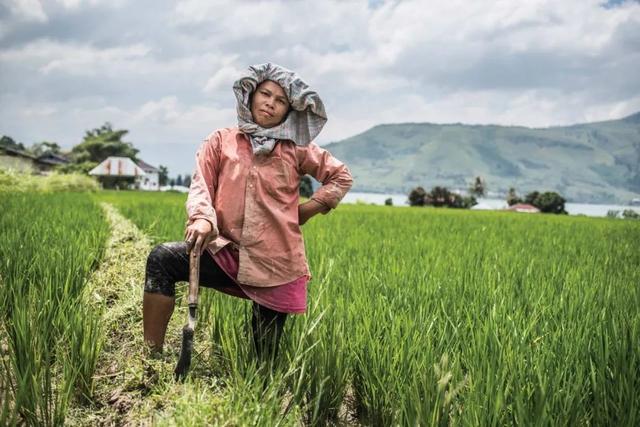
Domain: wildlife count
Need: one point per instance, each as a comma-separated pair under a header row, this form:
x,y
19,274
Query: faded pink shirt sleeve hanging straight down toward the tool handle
x,y
204,182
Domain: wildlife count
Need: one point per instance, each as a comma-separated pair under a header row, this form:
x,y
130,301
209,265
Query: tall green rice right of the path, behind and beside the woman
x,y
427,316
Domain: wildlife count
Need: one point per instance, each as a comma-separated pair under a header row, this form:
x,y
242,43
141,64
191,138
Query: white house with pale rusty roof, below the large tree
x,y
145,176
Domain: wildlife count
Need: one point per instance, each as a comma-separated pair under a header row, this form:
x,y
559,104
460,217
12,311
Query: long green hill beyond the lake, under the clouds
x,y
591,162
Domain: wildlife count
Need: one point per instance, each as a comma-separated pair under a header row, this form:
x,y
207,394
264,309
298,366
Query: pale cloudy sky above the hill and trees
x,y
164,69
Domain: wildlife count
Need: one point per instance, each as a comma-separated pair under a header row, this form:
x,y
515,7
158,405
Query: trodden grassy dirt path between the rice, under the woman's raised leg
x,y
133,388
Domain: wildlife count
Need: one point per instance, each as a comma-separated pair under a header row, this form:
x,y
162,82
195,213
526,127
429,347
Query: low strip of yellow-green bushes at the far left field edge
x,y
20,182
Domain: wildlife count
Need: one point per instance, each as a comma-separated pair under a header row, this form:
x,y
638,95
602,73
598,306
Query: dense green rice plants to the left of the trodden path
x,y
49,244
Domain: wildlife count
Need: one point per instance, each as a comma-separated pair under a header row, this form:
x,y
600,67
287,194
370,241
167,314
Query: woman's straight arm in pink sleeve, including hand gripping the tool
x,y
202,224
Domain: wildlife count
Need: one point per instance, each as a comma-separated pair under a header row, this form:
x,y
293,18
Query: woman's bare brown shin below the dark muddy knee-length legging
x,y
156,312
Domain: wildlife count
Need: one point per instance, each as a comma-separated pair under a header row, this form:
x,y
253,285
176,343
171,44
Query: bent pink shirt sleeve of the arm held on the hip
x,y
334,175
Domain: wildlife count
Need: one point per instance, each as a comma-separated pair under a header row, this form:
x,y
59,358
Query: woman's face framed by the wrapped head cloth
x,y
269,104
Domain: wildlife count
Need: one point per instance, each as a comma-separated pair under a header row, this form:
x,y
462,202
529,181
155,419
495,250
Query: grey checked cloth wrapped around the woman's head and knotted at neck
x,y
306,116
